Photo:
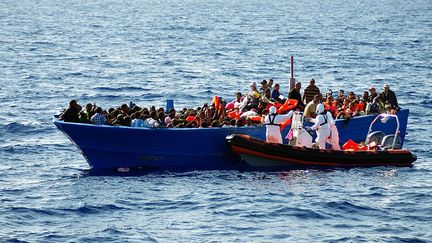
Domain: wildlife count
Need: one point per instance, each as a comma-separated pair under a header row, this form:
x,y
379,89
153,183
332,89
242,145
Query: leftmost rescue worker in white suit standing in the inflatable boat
x,y
273,121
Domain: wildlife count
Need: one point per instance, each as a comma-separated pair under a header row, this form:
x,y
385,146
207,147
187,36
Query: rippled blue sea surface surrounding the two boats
x,y
114,52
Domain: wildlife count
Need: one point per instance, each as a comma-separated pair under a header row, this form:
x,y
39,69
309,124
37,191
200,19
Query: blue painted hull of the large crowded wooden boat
x,y
108,147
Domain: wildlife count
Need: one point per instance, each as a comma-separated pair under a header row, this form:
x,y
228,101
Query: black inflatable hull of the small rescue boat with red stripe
x,y
261,154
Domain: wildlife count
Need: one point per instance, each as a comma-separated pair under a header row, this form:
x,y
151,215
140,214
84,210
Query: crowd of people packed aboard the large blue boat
x,y
244,110
